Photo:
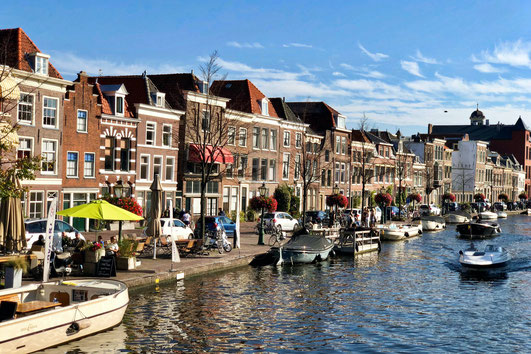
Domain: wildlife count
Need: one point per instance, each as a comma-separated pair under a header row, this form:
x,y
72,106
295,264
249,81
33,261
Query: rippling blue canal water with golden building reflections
x,y
412,297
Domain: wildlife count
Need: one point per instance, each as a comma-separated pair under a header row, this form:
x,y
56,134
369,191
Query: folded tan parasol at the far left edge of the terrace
x,y
12,230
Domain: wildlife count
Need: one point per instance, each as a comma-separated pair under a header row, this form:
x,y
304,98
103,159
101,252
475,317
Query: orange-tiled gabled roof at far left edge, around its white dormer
x,y
15,46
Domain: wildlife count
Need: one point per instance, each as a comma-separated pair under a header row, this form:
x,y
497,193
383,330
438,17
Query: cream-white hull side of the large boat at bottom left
x,y
48,329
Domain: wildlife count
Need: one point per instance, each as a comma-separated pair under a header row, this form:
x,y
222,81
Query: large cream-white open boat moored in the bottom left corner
x,y
42,315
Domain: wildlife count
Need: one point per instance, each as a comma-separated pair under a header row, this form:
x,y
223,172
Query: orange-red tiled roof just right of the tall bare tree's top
x,y
244,96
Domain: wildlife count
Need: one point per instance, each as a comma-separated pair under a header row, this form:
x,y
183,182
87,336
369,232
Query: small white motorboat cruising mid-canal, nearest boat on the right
x,y
493,256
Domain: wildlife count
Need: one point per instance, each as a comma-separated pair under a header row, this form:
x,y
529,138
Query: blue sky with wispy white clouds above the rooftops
x,y
402,64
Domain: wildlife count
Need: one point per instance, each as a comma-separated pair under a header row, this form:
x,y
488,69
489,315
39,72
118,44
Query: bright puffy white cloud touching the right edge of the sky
x,y
510,53
